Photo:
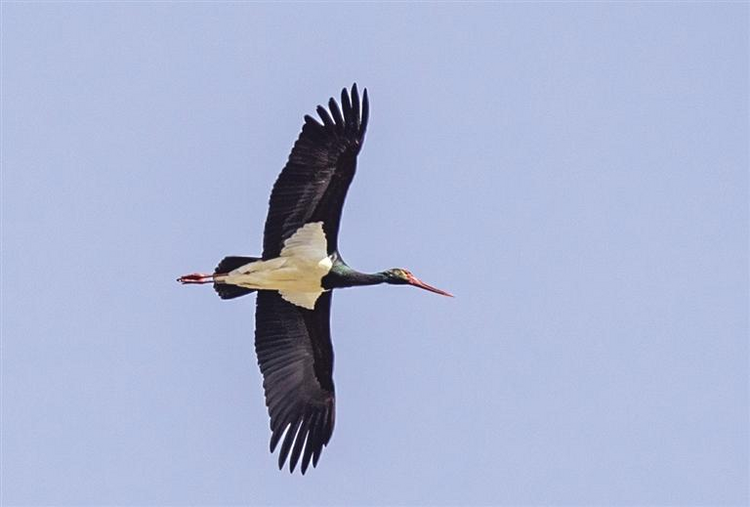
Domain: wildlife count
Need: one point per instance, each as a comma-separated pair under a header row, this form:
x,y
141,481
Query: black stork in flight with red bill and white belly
x,y
301,264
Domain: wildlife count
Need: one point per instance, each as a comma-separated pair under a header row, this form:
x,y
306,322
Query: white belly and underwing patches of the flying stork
x,y
296,273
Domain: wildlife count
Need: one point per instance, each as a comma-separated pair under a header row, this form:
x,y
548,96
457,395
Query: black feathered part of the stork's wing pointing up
x,y
313,184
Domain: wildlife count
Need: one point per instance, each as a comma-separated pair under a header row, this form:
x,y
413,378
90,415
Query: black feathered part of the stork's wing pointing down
x,y
296,358
